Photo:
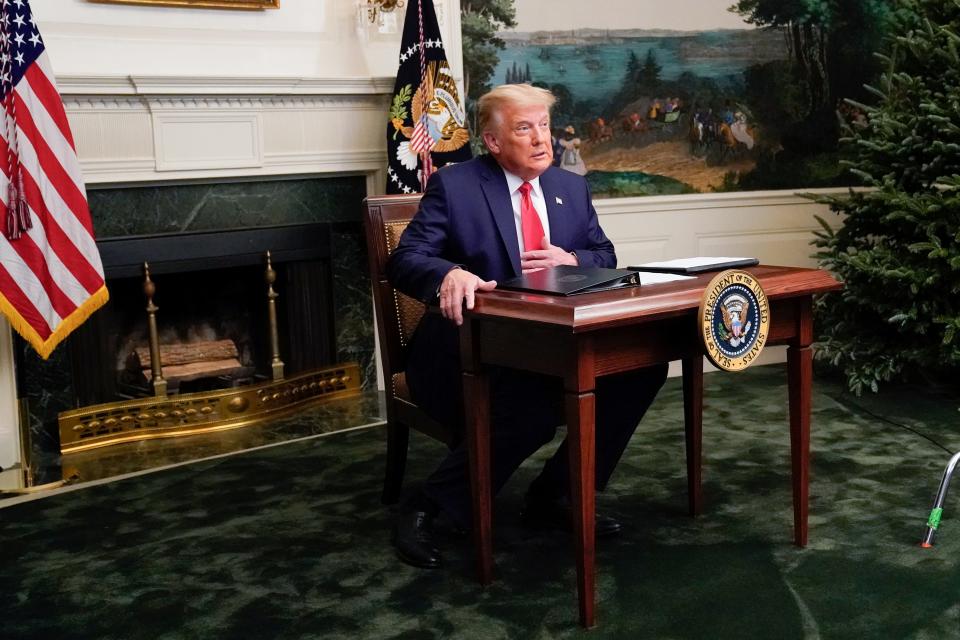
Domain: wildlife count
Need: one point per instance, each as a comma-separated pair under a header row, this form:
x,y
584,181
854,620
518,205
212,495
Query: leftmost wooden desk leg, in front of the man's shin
x,y
476,391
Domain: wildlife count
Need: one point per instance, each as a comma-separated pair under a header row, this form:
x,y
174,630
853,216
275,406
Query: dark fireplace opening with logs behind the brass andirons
x,y
212,317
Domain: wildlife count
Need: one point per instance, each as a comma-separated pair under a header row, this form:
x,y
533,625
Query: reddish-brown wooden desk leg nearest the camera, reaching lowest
x,y
580,432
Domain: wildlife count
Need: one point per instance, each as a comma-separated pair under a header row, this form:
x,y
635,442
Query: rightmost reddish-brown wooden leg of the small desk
x,y
800,380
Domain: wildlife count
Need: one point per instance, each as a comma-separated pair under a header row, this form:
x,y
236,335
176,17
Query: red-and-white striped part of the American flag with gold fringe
x,y
49,275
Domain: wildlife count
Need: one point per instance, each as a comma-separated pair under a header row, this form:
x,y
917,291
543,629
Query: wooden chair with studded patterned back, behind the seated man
x,y
385,218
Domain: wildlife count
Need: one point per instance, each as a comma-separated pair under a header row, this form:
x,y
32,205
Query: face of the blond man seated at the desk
x,y
520,141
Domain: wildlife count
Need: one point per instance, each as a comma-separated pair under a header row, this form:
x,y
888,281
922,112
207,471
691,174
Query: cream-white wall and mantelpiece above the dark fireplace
x,y
159,93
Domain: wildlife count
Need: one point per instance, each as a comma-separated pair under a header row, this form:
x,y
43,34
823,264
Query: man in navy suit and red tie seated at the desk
x,y
480,221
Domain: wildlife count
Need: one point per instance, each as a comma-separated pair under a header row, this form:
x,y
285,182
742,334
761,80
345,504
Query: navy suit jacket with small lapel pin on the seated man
x,y
466,219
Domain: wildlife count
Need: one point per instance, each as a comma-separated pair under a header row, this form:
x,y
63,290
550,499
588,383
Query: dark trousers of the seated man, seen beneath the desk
x,y
525,410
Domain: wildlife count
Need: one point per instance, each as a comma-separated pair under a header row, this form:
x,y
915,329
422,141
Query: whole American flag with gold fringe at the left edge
x,y
51,277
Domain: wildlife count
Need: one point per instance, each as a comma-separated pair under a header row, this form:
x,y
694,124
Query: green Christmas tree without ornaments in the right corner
x,y
898,249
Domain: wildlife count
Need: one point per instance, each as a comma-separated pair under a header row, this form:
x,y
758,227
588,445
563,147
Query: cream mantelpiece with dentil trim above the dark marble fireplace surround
x,y
156,128
